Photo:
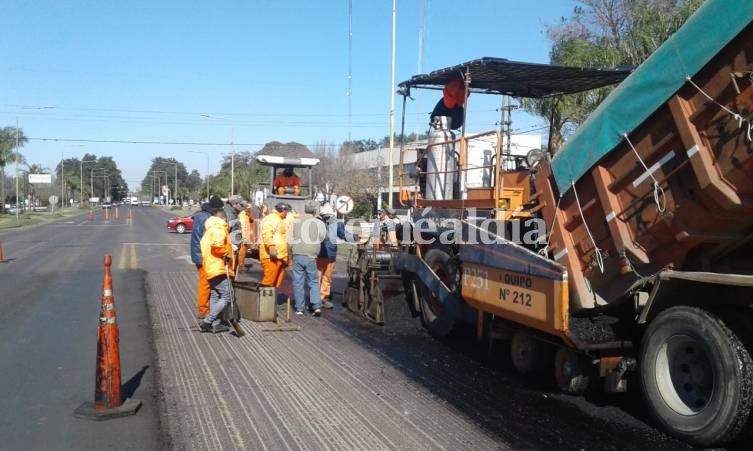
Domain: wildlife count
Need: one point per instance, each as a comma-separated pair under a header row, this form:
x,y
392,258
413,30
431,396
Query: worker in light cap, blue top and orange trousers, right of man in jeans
x,y
325,261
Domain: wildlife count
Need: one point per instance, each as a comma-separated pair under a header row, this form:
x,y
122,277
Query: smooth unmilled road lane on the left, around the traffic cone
x,y
50,294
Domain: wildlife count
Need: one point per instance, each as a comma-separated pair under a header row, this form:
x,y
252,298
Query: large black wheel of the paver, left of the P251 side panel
x,y
434,316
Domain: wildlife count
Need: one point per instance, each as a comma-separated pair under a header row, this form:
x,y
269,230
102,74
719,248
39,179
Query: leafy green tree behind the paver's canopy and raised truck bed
x,y
604,33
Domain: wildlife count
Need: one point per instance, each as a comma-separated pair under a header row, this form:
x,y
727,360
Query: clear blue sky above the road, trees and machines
x,y
262,70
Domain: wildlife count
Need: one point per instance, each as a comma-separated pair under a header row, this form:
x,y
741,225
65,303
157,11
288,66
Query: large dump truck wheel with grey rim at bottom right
x,y
697,376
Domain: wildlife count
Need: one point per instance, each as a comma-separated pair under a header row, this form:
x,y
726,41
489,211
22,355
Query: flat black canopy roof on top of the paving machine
x,y
502,76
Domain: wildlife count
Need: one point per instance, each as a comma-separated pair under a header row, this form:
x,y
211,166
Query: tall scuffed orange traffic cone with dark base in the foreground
x,y
107,398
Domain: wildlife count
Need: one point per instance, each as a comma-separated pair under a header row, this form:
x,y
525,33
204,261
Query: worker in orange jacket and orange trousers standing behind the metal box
x,y
273,250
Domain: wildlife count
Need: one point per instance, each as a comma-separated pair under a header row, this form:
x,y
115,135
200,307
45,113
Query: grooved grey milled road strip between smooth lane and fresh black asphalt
x,y
310,389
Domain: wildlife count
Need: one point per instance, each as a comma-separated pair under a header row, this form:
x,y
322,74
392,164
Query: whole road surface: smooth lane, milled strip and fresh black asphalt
x,y
337,383
